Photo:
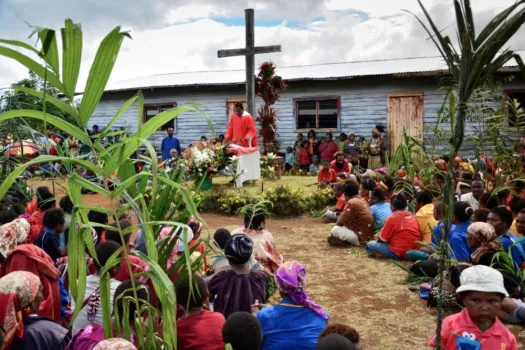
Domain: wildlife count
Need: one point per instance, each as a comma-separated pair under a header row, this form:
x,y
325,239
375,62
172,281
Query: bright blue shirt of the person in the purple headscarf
x,y
287,327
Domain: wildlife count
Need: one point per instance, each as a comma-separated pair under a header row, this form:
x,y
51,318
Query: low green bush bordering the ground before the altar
x,y
286,199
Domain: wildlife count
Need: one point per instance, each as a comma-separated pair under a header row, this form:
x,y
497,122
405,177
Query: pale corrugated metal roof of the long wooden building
x,y
324,71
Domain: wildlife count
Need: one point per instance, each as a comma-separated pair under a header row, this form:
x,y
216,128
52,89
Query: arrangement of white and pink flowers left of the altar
x,y
203,159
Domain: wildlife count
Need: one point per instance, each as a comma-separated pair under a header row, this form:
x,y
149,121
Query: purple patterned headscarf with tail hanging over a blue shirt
x,y
291,279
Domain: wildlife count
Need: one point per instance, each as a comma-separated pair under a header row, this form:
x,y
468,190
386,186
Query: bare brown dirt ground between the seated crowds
x,y
365,293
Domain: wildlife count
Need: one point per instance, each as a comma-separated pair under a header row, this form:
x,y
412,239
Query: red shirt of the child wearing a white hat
x,y
496,337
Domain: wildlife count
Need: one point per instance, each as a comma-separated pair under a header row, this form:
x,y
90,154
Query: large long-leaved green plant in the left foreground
x,y
124,188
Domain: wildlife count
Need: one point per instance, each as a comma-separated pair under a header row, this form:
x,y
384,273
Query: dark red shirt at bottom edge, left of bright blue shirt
x,y
202,331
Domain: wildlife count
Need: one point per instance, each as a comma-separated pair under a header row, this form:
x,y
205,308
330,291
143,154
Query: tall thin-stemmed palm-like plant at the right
x,y
479,57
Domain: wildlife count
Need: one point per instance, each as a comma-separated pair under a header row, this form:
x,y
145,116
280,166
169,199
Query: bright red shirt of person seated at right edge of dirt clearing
x,y
401,232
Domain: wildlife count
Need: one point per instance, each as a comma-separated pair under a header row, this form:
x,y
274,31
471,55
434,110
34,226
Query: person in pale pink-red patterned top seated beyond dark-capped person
x,y
264,249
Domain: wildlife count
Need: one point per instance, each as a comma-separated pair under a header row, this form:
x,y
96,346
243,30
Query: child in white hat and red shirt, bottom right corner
x,y
477,326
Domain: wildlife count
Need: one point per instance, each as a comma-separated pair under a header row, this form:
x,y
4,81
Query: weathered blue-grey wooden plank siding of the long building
x,y
363,105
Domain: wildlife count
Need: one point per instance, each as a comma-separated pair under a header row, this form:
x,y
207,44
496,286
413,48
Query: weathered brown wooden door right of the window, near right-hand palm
x,y
405,112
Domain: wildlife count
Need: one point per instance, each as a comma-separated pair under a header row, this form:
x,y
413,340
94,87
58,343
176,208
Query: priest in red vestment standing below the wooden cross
x,y
241,129
